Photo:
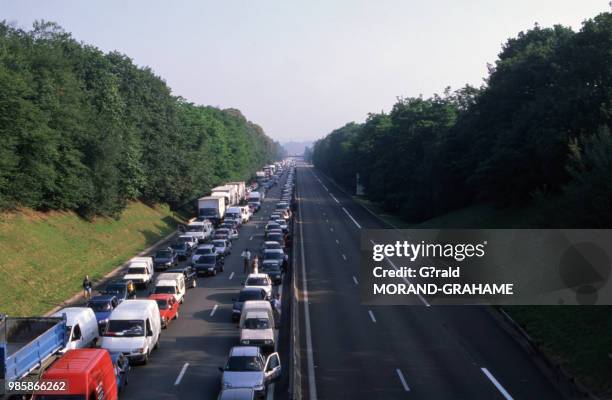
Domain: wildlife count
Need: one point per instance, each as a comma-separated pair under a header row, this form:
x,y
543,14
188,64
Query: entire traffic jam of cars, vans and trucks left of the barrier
x,y
88,350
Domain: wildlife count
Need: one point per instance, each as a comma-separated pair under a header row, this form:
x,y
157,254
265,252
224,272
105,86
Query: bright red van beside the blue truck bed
x,y
82,374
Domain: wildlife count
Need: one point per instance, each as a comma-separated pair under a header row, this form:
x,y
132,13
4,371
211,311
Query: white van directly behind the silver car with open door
x,y
257,325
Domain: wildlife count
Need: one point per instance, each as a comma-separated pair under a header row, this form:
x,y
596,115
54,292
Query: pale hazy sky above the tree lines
x,y
303,68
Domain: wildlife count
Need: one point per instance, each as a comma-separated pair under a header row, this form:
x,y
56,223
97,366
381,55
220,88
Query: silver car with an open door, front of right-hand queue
x,y
246,367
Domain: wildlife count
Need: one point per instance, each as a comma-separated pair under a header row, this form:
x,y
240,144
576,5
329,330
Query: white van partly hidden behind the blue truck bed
x,y
81,326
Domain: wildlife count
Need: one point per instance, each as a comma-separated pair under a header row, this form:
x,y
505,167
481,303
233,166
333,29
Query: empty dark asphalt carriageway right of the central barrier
x,y
391,352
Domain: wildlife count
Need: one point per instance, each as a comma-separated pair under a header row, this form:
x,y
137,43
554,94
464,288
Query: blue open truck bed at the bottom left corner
x,y
27,342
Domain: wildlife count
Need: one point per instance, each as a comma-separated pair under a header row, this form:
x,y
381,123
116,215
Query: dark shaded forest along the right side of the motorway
x,y
536,132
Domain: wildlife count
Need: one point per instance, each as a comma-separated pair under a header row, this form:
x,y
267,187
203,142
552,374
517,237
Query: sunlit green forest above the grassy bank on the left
x,y
87,131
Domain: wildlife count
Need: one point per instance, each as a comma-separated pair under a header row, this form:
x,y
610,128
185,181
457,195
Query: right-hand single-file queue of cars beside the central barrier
x,y
253,364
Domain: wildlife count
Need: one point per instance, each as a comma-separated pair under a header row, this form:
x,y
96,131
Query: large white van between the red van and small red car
x,y
133,328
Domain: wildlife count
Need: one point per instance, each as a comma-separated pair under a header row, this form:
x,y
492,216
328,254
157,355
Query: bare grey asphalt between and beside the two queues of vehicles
x,y
198,342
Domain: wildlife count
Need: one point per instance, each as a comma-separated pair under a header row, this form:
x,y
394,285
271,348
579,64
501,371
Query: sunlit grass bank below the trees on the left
x,y
44,256
